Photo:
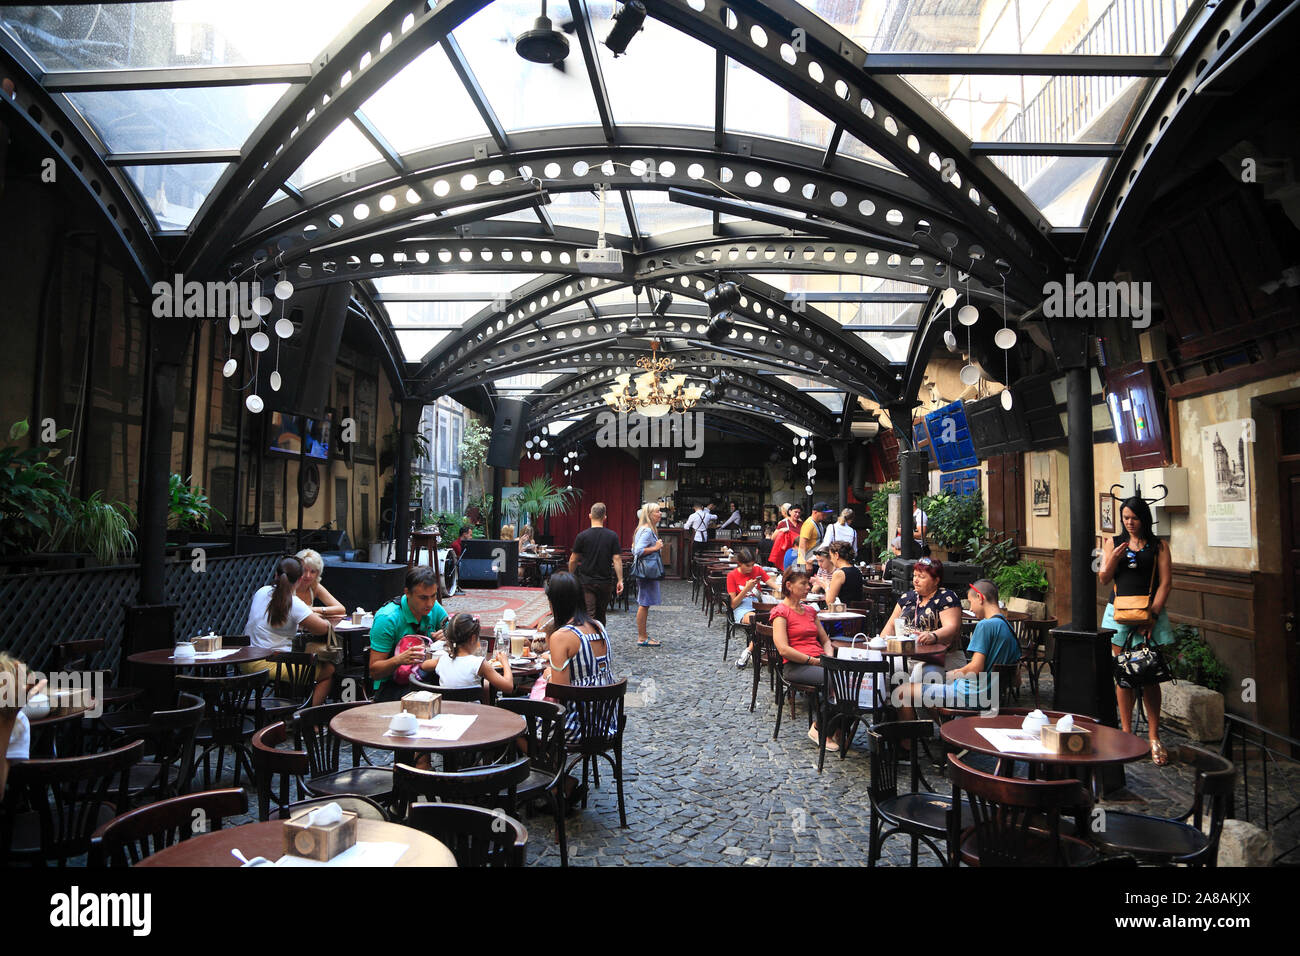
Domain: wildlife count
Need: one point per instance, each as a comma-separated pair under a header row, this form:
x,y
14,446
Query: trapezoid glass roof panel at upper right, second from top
x,y
1034,110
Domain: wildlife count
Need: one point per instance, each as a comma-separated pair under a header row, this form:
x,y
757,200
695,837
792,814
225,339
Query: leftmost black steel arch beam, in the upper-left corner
x,y
38,119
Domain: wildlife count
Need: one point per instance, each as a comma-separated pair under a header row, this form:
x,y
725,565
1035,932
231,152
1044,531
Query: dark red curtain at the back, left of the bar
x,y
609,475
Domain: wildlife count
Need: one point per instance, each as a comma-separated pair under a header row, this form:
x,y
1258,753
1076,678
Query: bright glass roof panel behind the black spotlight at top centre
x,y
682,97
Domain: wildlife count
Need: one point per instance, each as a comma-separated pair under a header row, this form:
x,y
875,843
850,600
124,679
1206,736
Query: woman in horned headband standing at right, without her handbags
x,y
1138,564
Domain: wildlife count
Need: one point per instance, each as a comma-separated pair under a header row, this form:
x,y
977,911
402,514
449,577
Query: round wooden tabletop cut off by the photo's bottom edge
x,y
268,840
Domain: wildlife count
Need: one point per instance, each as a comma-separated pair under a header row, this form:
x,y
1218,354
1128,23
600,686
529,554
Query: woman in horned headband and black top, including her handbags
x,y
1142,570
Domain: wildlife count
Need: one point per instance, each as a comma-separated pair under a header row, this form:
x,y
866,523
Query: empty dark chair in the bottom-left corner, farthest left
x,y
68,799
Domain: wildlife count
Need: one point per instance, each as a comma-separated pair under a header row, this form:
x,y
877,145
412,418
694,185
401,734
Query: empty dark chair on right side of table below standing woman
x,y
1173,840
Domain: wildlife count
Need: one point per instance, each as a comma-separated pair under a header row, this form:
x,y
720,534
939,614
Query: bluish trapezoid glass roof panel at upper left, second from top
x,y
190,119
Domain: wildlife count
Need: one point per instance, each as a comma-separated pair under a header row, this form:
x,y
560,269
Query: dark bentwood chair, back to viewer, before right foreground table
x,y
1015,823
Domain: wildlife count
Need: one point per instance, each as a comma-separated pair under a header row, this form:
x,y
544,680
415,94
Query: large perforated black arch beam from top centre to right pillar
x,y
882,111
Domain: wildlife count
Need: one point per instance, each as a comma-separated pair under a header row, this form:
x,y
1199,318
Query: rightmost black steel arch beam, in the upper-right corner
x,y
1168,120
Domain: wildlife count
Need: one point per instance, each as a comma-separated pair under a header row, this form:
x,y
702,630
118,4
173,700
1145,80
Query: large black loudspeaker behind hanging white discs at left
x,y
307,360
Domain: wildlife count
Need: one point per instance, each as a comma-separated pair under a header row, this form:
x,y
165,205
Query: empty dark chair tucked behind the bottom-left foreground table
x,y
144,832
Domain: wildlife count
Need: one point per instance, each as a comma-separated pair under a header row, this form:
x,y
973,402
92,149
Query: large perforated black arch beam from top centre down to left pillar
x,y
357,64
